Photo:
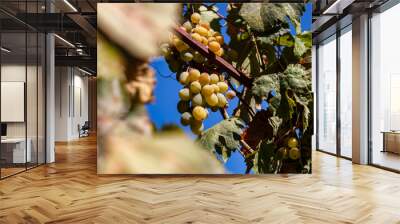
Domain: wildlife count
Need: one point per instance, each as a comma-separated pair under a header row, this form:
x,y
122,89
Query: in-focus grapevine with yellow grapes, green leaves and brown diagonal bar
x,y
268,61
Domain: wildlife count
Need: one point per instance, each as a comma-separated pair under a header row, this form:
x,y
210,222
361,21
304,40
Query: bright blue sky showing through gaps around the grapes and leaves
x,y
164,111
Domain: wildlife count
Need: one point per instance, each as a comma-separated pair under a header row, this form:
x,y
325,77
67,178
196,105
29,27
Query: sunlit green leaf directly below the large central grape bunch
x,y
224,137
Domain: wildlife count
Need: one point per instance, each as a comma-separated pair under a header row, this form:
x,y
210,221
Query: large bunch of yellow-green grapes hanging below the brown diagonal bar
x,y
201,91
